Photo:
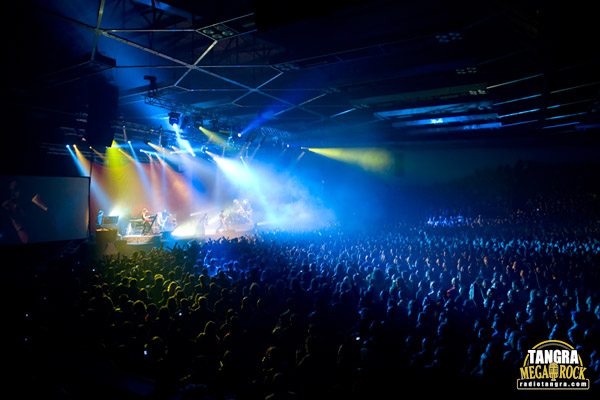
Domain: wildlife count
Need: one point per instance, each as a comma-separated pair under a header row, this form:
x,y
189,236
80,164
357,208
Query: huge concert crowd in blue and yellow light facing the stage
x,y
450,305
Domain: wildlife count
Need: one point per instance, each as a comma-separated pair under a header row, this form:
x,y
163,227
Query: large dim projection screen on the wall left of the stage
x,y
38,209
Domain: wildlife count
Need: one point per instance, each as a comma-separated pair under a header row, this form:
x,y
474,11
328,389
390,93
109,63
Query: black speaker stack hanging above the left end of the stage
x,y
103,99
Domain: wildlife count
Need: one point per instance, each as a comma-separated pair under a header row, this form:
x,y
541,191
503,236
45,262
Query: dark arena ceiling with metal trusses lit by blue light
x,y
309,72
